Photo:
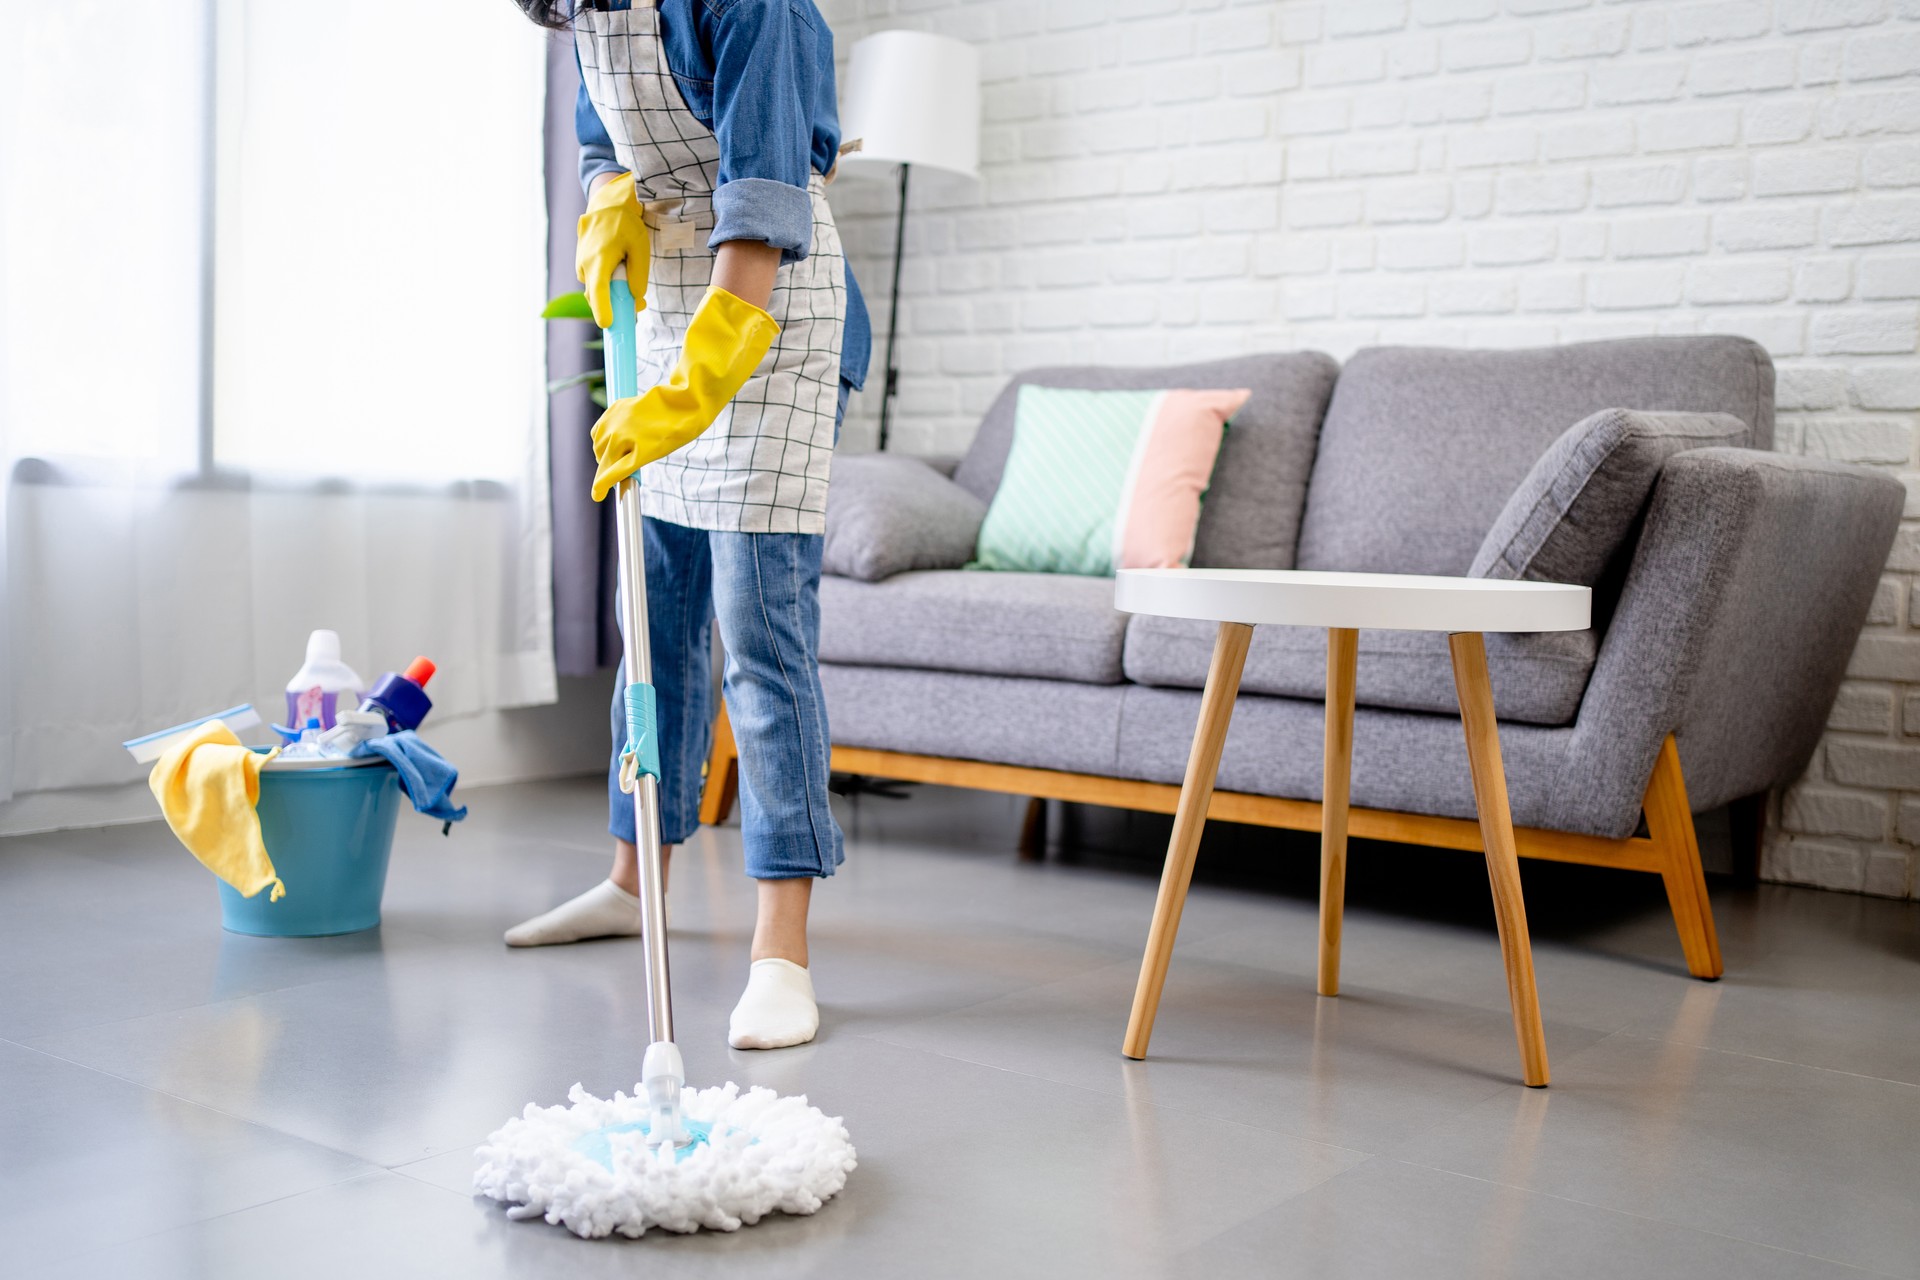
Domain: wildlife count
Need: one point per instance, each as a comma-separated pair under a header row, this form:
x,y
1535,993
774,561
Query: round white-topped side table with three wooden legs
x,y
1466,609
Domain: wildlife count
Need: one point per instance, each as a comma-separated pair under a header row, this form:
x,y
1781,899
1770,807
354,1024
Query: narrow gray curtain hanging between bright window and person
x,y
585,632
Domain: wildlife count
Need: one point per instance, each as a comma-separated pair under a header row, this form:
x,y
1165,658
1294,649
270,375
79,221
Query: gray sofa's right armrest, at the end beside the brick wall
x,y
1740,609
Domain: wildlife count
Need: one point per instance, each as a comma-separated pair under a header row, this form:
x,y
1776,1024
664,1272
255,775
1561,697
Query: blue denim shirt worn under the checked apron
x,y
759,74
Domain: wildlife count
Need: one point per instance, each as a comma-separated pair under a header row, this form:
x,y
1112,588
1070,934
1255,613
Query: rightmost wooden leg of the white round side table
x,y
1502,859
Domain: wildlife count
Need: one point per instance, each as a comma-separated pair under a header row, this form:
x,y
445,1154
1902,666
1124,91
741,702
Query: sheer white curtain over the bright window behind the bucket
x,y
270,362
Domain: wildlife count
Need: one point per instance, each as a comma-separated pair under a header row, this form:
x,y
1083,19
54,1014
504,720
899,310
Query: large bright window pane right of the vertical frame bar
x,y
379,191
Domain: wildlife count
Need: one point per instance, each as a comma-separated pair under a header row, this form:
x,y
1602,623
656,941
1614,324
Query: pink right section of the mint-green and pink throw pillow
x,y
1172,467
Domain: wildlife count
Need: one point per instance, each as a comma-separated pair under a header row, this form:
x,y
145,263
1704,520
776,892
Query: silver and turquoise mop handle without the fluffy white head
x,y
642,746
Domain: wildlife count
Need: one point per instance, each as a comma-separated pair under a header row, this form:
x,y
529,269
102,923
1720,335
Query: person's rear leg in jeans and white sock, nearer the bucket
x,y
681,630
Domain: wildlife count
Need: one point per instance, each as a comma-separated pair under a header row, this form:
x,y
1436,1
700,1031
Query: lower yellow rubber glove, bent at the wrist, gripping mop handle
x,y
727,341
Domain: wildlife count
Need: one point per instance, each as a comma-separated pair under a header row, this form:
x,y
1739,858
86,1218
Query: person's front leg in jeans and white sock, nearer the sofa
x,y
767,596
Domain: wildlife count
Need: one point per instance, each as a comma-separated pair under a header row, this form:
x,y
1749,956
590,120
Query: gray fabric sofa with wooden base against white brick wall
x,y
1727,617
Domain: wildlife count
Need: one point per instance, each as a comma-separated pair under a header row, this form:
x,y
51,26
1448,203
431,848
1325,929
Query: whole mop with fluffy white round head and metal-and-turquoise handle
x,y
665,1156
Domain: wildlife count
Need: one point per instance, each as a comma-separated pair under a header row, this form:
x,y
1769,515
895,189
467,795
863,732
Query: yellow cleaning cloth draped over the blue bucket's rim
x,y
208,788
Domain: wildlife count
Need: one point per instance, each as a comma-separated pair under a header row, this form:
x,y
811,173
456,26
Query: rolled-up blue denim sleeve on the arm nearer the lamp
x,y
765,68
